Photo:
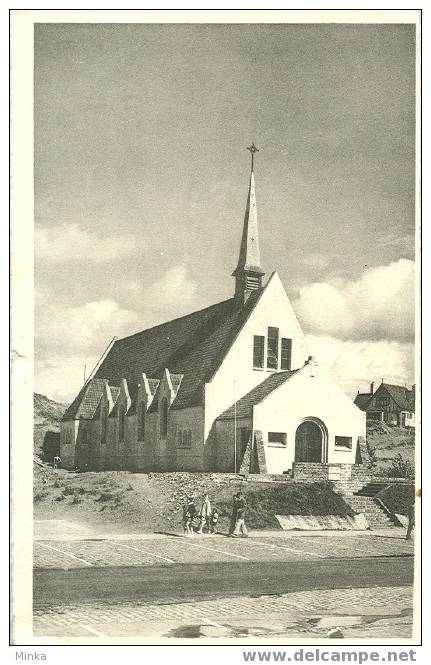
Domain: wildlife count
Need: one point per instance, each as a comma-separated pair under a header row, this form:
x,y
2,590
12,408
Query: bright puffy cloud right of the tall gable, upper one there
x,y
378,306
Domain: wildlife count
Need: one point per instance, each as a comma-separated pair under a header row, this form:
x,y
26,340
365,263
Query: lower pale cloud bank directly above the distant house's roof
x,y
353,364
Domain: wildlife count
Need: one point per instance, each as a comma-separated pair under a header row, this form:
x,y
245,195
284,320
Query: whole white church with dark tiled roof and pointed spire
x,y
189,393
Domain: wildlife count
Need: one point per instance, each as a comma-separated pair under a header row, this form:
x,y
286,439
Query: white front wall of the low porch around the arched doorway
x,y
304,396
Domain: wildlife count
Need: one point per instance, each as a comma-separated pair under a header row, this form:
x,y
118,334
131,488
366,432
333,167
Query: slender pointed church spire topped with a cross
x,y
248,273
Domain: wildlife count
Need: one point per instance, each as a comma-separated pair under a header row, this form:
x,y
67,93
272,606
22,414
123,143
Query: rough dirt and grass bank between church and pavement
x,y
124,501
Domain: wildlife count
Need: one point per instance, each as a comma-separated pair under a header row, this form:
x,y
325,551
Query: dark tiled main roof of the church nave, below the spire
x,y
193,345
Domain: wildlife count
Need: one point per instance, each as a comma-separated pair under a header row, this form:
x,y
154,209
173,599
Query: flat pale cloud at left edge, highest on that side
x,y
72,243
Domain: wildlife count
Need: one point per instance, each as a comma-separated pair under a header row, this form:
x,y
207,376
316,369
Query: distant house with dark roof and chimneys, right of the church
x,y
394,405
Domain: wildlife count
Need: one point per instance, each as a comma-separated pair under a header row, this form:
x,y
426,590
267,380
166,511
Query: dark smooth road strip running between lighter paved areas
x,y
175,583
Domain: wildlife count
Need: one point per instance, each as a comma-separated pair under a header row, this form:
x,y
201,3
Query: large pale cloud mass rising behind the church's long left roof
x,y
67,338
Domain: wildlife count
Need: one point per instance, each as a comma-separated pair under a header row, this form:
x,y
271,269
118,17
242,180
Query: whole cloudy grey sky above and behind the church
x,y
141,177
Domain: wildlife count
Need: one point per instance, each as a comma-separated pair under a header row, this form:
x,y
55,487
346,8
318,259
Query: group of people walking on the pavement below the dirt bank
x,y
207,516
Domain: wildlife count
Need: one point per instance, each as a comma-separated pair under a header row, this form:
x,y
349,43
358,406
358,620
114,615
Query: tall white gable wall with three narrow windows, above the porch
x,y
236,376
